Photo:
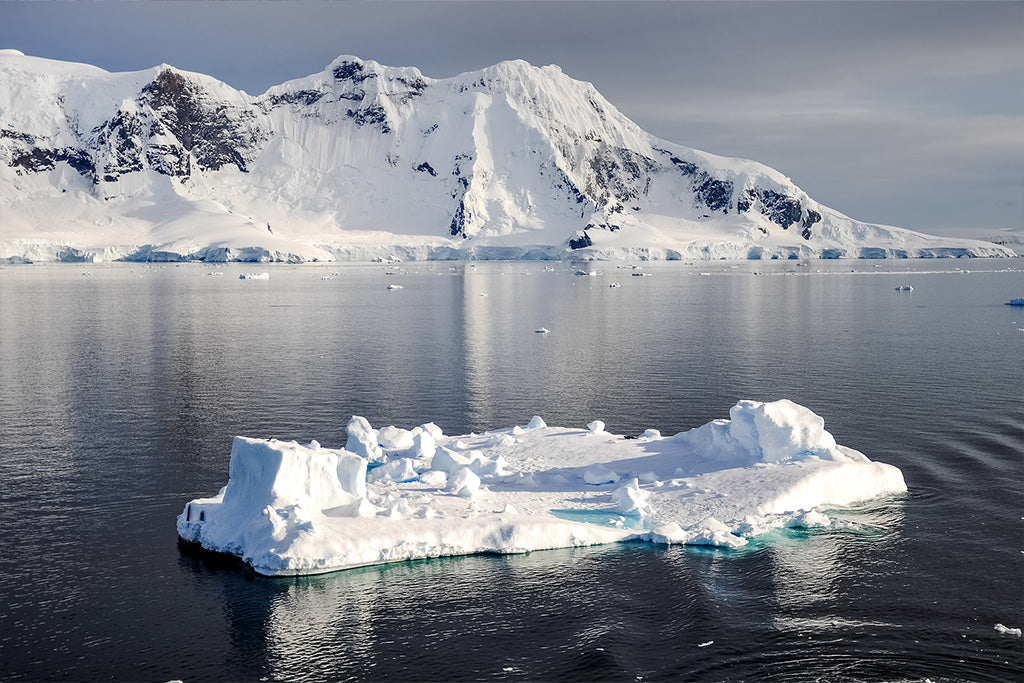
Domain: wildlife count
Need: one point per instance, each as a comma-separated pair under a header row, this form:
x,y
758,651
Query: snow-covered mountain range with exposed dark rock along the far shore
x,y
364,161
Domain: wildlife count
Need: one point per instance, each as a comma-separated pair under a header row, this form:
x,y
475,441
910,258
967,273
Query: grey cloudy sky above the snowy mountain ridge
x,y
908,114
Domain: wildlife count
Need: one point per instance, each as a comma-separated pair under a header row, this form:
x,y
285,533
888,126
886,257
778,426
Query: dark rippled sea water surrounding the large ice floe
x,y
122,386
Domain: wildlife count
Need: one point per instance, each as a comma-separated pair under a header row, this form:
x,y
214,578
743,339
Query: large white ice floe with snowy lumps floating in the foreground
x,y
396,495
